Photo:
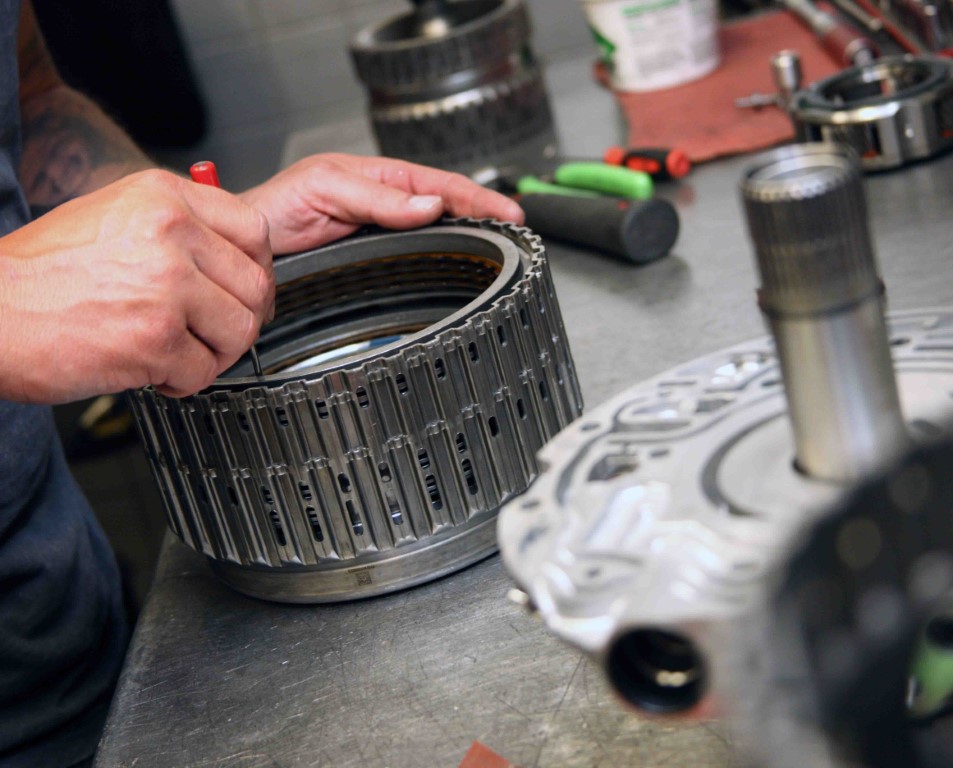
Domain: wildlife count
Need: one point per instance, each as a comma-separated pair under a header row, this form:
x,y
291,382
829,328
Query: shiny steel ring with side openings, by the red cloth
x,y
892,112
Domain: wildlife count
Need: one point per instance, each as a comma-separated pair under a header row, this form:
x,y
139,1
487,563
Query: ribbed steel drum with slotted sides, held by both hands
x,y
410,378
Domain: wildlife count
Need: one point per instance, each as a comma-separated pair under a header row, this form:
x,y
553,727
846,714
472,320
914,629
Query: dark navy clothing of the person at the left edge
x,y
62,631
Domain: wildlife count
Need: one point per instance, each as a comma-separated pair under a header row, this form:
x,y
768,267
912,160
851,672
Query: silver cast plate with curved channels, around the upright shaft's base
x,y
663,513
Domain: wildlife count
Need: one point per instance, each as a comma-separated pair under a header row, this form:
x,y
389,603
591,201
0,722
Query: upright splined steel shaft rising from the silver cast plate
x,y
823,299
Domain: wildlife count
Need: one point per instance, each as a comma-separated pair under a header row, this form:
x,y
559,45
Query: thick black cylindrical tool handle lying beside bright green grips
x,y
638,231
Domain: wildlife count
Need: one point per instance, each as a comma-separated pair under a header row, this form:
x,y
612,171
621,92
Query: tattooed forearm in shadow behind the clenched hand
x,y
70,148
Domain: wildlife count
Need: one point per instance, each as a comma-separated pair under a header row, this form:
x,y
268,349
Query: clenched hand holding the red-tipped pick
x,y
152,279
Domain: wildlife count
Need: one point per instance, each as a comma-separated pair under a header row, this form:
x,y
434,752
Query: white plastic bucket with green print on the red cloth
x,y
652,44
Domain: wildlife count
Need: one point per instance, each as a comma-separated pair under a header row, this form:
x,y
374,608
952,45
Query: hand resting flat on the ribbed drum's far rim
x,y
325,197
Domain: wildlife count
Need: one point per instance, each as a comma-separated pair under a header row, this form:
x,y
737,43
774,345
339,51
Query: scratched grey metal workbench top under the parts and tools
x,y
411,680
